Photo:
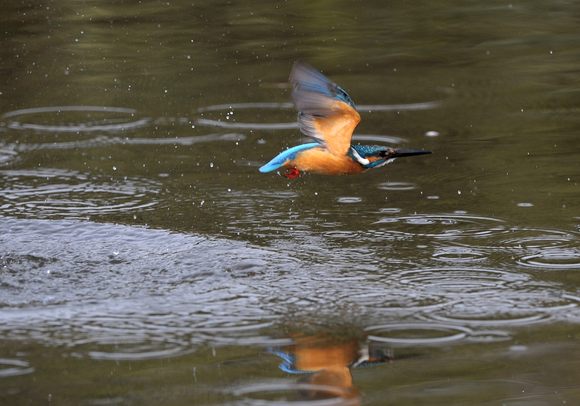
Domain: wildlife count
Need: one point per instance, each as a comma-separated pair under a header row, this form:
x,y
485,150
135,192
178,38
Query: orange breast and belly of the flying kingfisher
x,y
320,160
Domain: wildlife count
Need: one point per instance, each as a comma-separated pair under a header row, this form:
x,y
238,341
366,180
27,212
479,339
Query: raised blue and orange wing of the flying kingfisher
x,y
326,111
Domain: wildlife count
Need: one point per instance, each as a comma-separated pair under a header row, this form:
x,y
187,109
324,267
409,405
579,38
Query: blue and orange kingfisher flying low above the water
x,y
327,114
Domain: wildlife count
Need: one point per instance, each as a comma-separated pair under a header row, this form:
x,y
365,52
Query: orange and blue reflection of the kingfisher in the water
x,y
324,362
